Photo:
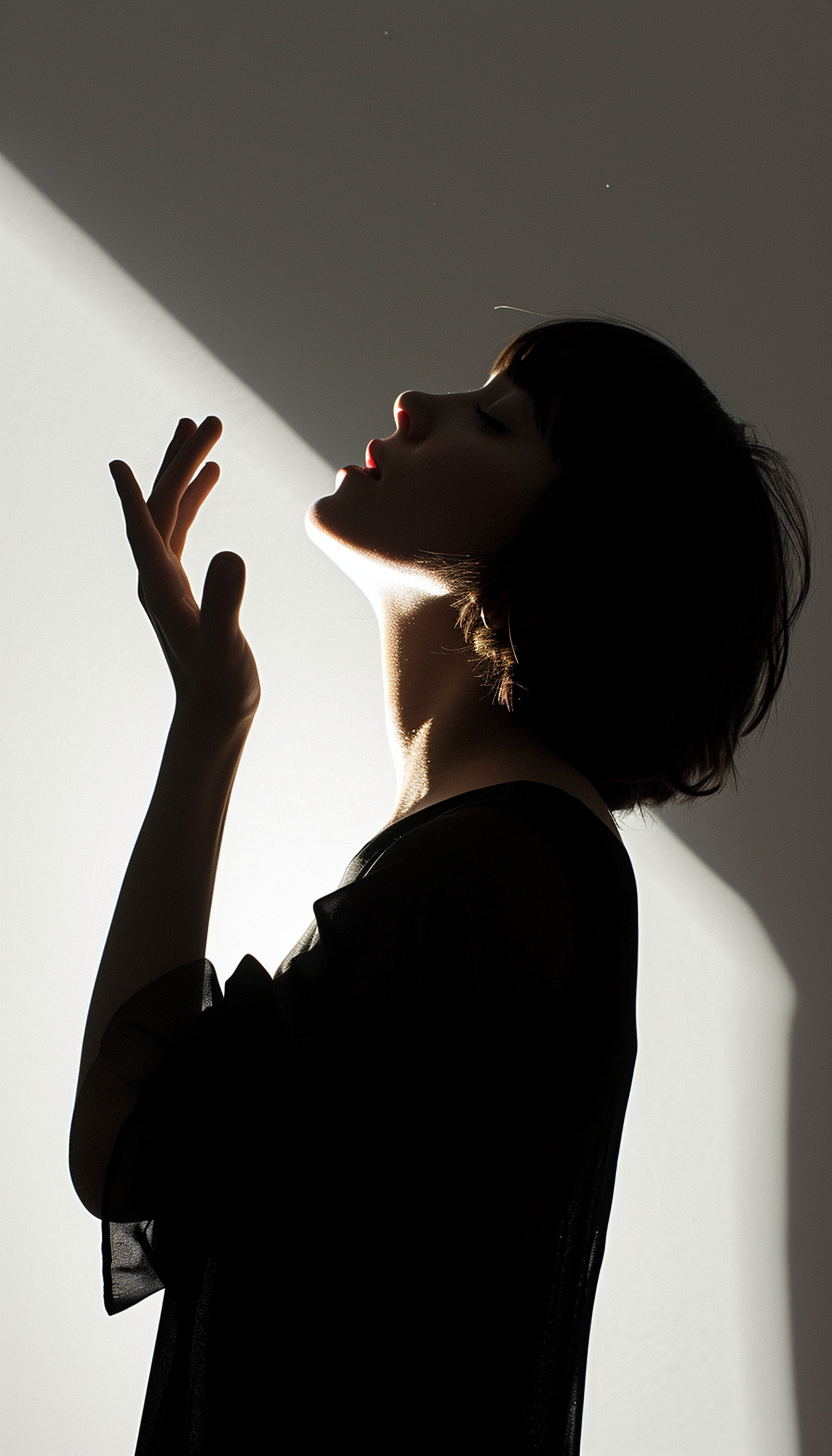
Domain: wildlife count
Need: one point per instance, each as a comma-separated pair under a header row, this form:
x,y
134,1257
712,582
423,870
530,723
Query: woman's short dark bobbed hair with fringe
x,y
645,606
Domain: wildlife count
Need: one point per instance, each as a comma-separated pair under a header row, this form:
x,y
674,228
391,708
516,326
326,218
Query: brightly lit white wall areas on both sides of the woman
x,y
691,1349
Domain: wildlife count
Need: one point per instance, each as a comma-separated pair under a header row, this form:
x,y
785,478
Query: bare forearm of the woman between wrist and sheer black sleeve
x,y
162,915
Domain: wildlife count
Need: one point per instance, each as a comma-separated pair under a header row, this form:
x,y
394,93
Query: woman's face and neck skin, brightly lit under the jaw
x,y
458,475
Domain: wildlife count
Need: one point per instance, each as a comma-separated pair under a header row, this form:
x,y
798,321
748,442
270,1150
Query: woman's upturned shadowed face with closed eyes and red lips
x,y
455,477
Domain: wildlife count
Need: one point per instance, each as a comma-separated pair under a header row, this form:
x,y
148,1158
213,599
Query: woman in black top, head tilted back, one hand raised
x,y
377,1186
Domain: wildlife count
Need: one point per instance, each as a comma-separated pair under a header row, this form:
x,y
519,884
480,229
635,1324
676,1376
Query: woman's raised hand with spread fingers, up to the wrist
x,y
212,665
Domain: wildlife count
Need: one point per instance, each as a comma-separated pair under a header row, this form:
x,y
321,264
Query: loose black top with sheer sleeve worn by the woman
x,y
377,1187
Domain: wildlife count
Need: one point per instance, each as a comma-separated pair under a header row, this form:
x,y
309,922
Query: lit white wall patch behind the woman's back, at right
x,y
690,1352
